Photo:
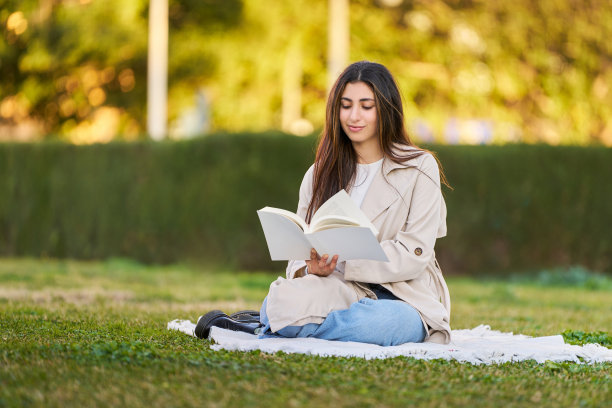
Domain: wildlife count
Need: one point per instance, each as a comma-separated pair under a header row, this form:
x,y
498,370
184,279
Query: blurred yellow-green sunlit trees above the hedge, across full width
x,y
473,72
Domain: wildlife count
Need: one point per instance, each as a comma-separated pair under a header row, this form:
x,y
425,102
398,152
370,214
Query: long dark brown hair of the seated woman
x,y
336,160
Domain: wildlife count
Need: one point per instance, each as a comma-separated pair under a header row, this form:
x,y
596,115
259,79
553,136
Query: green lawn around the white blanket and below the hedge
x,y
94,334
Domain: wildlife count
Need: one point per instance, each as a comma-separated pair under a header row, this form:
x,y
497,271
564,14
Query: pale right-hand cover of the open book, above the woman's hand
x,y
348,243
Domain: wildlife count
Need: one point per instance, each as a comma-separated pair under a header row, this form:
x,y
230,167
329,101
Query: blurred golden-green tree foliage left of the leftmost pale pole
x,y
76,58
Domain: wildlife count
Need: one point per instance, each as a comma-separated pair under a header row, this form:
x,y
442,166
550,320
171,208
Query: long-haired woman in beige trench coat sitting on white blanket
x,y
365,150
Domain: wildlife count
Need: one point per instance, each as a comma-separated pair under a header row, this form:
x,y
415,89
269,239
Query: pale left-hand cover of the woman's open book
x,y
286,240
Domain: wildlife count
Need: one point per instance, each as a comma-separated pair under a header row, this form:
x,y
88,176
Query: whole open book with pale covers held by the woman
x,y
338,227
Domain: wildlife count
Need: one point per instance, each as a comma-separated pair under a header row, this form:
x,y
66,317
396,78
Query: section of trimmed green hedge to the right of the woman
x,y
528,206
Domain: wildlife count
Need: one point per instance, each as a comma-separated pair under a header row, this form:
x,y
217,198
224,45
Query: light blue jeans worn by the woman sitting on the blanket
x,y
386,322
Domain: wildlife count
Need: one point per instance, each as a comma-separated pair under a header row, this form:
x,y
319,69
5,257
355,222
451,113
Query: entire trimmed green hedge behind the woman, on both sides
x,y
514,207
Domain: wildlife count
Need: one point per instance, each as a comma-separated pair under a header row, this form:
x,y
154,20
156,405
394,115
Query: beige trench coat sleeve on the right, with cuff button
x,y
412,248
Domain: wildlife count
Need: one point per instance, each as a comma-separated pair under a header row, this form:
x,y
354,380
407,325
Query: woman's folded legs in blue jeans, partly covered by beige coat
x,y
386,321
